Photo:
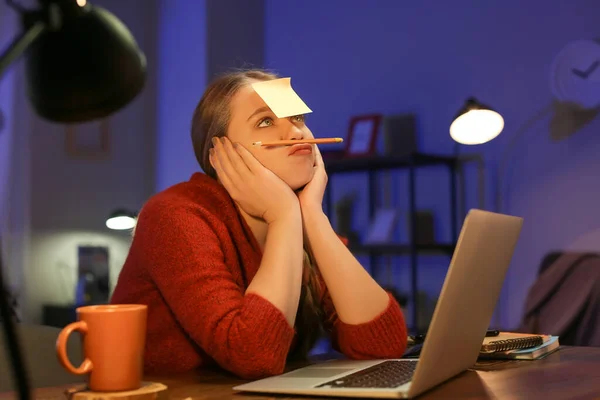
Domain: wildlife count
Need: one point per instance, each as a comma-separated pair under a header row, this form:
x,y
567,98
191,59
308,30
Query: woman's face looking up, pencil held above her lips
x,y
252,120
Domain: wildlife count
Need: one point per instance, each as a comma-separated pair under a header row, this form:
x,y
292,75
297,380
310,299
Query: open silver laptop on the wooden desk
x,y
457,330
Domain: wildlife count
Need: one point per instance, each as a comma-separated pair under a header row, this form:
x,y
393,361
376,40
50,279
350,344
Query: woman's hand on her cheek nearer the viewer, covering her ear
x,y
255,188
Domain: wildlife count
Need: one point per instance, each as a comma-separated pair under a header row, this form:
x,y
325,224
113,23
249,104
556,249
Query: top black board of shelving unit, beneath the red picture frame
x,y
382,162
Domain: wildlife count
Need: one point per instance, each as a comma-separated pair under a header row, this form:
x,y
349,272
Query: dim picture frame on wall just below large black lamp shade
x,y
89,140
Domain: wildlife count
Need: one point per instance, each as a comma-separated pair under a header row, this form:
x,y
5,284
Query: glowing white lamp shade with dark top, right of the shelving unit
x,y
476,123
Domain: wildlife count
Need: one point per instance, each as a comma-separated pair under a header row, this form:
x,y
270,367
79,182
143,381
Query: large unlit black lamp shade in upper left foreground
x,y
86,69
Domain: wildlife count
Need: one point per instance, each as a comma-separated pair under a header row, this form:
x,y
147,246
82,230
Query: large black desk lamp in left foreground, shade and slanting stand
x,y
82,64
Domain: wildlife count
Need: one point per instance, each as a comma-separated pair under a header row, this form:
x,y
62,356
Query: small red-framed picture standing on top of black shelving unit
x,y
362,135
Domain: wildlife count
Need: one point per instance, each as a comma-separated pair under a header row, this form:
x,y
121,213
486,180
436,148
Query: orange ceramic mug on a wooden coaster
x,y
114,337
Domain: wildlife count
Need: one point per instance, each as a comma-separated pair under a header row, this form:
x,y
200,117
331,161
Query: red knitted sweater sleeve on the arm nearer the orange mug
x,y
245,334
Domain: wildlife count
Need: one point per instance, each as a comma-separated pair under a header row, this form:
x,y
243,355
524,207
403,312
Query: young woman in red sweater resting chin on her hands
x,y
239,266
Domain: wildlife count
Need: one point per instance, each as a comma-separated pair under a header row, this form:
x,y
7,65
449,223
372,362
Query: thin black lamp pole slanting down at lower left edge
x,y
12,340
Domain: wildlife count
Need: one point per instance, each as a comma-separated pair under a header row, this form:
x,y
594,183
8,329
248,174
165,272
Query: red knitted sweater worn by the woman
x,y
191,260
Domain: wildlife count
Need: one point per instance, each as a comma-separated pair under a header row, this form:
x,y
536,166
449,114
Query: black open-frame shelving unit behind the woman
x,y
372,165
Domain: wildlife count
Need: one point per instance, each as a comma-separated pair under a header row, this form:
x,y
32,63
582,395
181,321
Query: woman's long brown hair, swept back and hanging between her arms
x,y
211,119
